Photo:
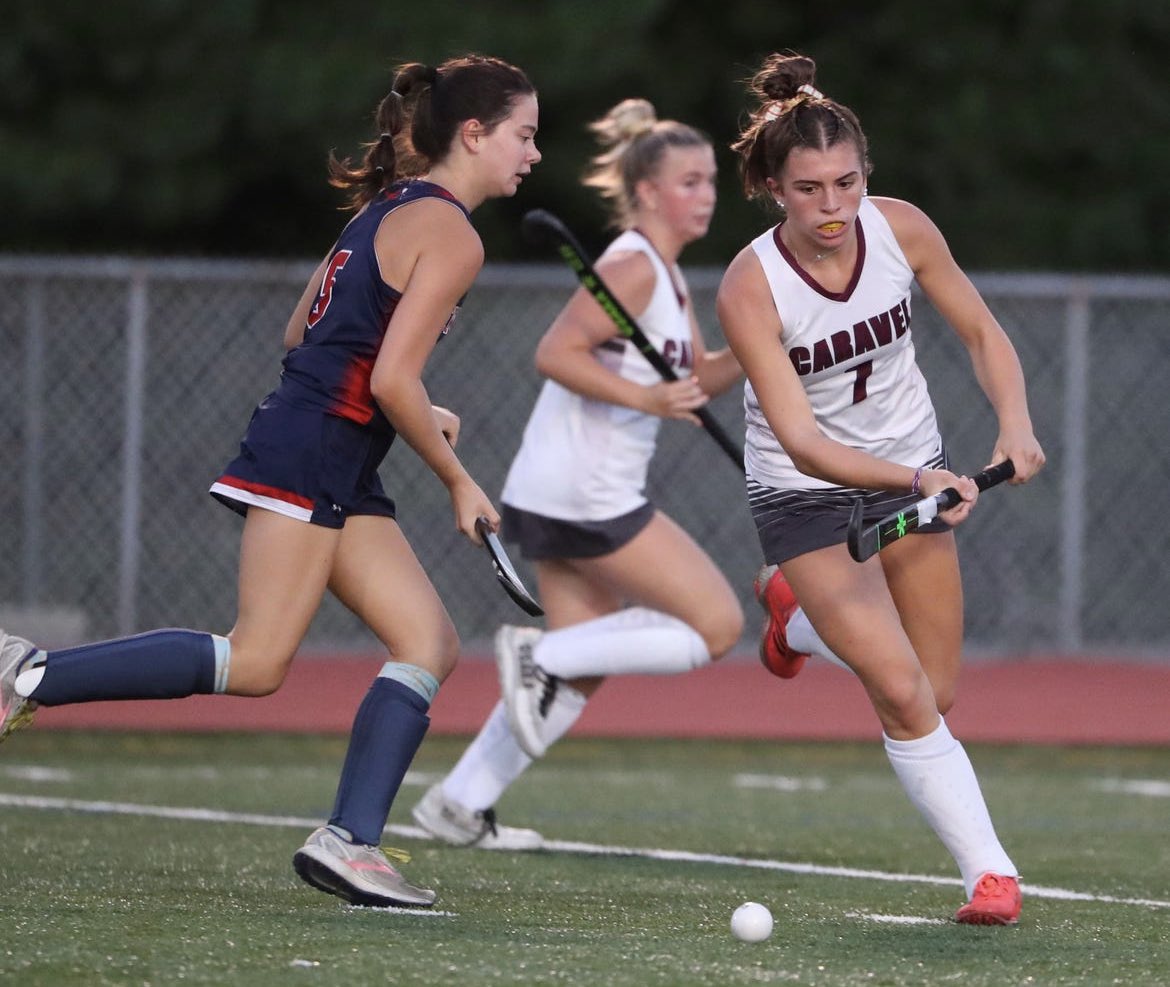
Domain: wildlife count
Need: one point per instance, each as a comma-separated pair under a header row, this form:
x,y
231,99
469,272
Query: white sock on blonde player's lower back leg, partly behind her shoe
x,y
494,761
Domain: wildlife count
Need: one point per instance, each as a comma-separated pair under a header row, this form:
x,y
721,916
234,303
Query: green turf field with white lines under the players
x,y
160,859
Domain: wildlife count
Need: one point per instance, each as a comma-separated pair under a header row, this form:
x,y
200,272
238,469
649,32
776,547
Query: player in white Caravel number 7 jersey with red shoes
x,y
818,313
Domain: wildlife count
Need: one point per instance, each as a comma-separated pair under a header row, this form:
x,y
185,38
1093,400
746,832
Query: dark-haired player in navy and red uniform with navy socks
x,y
316,516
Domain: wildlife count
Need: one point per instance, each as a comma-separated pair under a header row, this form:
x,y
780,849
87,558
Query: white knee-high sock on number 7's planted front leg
x,y
939,778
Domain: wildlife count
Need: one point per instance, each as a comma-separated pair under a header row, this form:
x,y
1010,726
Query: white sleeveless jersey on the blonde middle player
x,y
587,460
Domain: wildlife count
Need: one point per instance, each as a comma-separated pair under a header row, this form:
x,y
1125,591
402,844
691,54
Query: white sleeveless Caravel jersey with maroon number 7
x,y
854,354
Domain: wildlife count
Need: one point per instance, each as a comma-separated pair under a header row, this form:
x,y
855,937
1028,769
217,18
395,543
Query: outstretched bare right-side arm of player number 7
x,y
997,367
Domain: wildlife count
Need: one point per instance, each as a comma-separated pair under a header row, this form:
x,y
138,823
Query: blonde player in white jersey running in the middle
x,y
627,591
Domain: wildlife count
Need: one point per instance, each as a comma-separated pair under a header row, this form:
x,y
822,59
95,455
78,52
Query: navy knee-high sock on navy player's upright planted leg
x,y
388,731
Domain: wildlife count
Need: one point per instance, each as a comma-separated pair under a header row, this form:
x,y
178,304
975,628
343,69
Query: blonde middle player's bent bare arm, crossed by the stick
x,y
566,353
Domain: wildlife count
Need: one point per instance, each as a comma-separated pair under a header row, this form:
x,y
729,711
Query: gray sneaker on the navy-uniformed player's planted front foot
x,y
360,874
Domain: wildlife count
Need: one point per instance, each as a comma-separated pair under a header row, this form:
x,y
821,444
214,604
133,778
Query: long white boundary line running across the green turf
x,y
554,846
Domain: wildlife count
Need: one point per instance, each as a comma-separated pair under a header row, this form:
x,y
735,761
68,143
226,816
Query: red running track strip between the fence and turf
x,y
1037,701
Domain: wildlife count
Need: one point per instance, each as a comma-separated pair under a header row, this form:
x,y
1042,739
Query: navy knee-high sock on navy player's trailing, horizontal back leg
x,y
160,665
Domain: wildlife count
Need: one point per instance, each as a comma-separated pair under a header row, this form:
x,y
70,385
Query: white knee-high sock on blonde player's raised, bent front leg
x,y
635,641
